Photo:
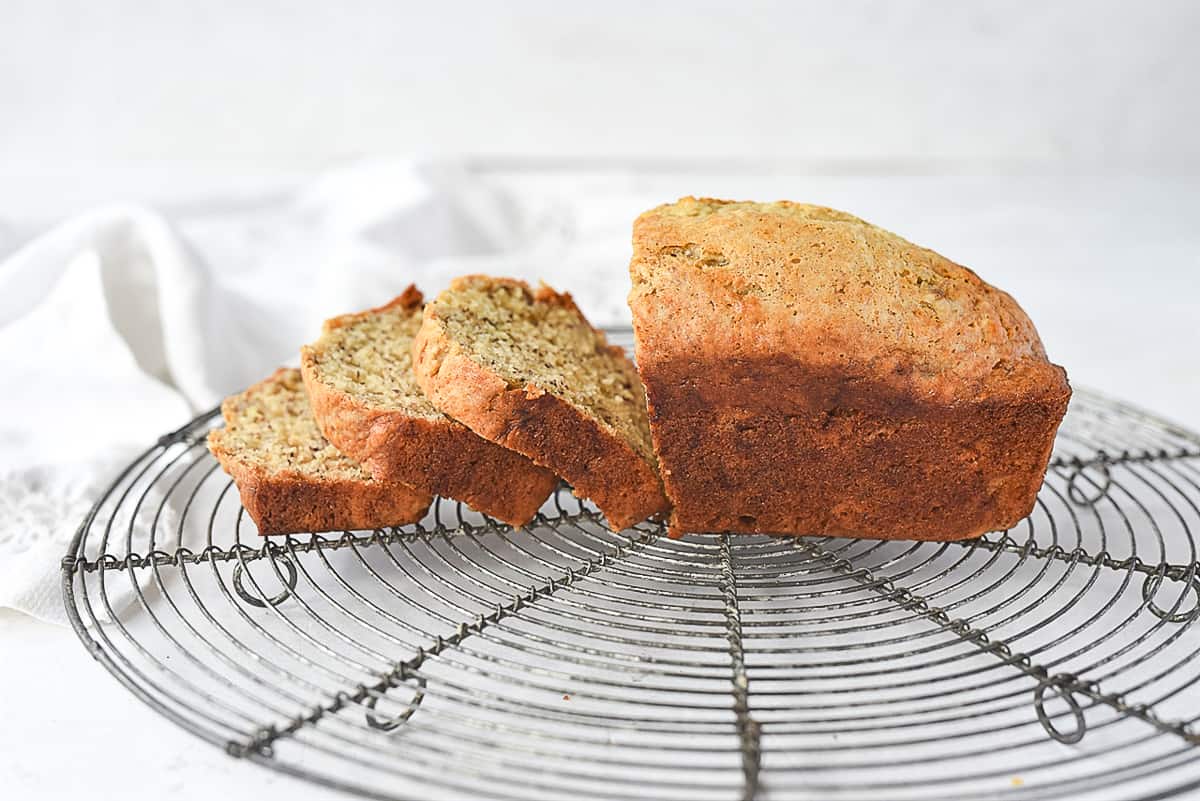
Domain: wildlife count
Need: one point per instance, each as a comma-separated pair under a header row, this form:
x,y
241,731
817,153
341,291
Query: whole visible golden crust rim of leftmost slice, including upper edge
x,y
290,502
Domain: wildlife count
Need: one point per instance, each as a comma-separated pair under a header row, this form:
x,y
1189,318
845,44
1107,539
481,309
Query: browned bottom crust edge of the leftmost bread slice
x,y
284,504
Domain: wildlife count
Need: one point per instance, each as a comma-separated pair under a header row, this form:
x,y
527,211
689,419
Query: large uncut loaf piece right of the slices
x,y
811,374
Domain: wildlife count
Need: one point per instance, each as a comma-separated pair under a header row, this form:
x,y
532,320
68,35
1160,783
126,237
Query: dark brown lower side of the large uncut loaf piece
x,y
777,449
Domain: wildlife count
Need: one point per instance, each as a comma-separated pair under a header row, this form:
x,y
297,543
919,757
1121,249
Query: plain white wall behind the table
x,y
890,85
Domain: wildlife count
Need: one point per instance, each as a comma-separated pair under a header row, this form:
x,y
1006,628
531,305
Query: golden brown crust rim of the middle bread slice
x,y
434,455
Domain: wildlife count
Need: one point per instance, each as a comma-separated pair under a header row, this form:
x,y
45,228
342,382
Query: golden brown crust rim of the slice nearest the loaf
x,y
539,425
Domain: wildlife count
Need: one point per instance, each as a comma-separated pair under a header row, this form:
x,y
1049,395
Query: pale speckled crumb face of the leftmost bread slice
x,y
271,431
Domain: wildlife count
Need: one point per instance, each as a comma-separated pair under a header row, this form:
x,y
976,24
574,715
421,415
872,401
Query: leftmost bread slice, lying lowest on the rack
x,y
290,478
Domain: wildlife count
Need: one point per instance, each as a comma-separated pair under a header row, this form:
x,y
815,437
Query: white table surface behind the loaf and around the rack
x,y
1109,269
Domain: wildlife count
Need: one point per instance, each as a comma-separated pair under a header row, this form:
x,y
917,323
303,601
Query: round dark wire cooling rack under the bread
x,y
463,659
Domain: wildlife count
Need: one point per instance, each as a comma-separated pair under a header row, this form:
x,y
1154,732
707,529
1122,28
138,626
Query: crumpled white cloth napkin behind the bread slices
x,y
119,326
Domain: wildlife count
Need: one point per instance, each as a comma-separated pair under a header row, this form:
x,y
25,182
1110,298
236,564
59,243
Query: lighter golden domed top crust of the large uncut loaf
x,y
719,280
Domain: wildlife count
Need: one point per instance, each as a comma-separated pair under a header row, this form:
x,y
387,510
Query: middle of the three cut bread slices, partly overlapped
x,y
367,401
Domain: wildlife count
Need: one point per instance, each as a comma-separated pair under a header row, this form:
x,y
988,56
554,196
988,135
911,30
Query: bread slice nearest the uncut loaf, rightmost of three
x,y
525,370
